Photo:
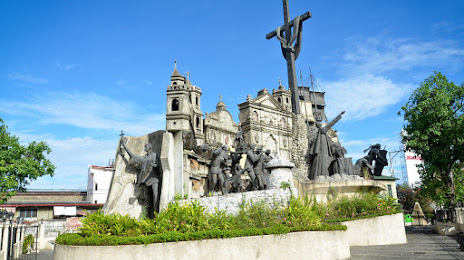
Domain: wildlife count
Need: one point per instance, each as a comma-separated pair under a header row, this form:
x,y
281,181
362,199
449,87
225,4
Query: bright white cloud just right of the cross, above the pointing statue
x,y
363,96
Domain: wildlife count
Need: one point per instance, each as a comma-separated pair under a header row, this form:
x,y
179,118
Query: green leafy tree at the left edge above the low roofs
x,y
20,164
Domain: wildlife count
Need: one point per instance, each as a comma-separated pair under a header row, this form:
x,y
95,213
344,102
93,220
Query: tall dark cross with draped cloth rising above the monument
x,y
289,49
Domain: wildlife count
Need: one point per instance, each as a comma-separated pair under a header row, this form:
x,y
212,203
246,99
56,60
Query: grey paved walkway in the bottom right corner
x,y
423,243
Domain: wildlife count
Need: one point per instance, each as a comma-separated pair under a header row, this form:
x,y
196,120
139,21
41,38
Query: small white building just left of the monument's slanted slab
x,y
98,183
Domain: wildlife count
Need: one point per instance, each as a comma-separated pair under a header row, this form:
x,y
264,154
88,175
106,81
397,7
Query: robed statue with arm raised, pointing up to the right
x,y
321,150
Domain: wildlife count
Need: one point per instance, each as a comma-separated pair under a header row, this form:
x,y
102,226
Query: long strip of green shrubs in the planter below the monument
x,y
189,221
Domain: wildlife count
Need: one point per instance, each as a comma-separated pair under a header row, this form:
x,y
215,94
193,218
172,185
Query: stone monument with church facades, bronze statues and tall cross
x,y
209,157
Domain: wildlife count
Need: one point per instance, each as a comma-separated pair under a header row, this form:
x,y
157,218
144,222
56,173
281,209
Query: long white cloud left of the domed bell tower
x,y
87,110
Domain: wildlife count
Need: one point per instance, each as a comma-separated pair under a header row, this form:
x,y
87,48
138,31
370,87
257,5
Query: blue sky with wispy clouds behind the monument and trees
x,y
74,73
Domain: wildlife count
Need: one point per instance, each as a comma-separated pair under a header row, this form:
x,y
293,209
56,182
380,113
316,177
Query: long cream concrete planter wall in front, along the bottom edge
x,y
298,245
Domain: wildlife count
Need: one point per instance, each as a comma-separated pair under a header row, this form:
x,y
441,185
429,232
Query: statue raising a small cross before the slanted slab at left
x,y
148,175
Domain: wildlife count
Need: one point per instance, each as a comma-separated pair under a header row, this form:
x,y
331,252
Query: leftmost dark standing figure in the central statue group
x,y
217,171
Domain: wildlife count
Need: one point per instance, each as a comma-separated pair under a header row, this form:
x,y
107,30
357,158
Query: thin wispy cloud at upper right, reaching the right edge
x,y
381,54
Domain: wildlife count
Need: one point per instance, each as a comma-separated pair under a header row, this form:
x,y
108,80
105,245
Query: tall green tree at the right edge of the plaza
x,y
434,124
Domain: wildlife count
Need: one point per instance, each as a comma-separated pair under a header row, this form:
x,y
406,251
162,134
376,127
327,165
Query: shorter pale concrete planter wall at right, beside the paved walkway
x,y
383,230
